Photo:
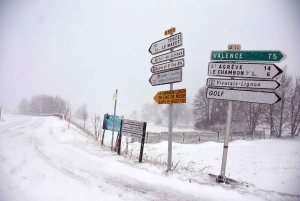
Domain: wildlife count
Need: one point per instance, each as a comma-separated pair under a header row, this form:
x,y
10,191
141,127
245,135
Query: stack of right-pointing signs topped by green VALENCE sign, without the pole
x,y
244,64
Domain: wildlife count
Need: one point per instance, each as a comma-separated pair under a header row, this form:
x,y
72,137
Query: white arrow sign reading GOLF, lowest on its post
x,y
245,96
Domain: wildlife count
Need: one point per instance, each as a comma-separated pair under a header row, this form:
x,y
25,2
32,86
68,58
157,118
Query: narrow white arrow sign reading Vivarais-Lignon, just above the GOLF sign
x,y
254,84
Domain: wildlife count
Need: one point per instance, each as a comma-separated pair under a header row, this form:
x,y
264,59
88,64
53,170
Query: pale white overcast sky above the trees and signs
x,y
84,50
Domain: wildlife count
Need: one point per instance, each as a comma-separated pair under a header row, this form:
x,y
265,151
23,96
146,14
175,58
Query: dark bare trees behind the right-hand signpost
x,y
281,118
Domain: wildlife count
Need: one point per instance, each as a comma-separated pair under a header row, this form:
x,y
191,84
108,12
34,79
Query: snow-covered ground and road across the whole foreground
x,y
40,159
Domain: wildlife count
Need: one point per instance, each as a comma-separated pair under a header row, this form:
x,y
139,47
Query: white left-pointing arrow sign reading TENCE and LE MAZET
x,y
166,44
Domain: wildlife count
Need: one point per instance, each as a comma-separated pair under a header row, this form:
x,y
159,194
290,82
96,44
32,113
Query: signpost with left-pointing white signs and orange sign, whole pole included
x,y
168,77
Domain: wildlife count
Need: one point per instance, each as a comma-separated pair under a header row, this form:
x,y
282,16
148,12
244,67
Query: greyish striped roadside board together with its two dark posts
x,y
132,128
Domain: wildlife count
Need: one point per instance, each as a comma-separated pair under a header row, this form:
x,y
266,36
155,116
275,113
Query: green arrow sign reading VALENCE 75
x,y
250,55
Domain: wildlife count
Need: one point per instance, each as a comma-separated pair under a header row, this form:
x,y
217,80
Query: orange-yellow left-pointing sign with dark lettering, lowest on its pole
x,y
171,96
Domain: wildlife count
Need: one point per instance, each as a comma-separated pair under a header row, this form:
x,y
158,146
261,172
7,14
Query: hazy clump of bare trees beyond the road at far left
x,y
44,104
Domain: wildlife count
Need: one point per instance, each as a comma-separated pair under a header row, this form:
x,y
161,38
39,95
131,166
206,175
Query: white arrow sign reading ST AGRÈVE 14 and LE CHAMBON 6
x,y
250,70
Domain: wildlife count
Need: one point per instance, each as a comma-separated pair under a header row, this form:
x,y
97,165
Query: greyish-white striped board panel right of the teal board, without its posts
x,y
132,128
